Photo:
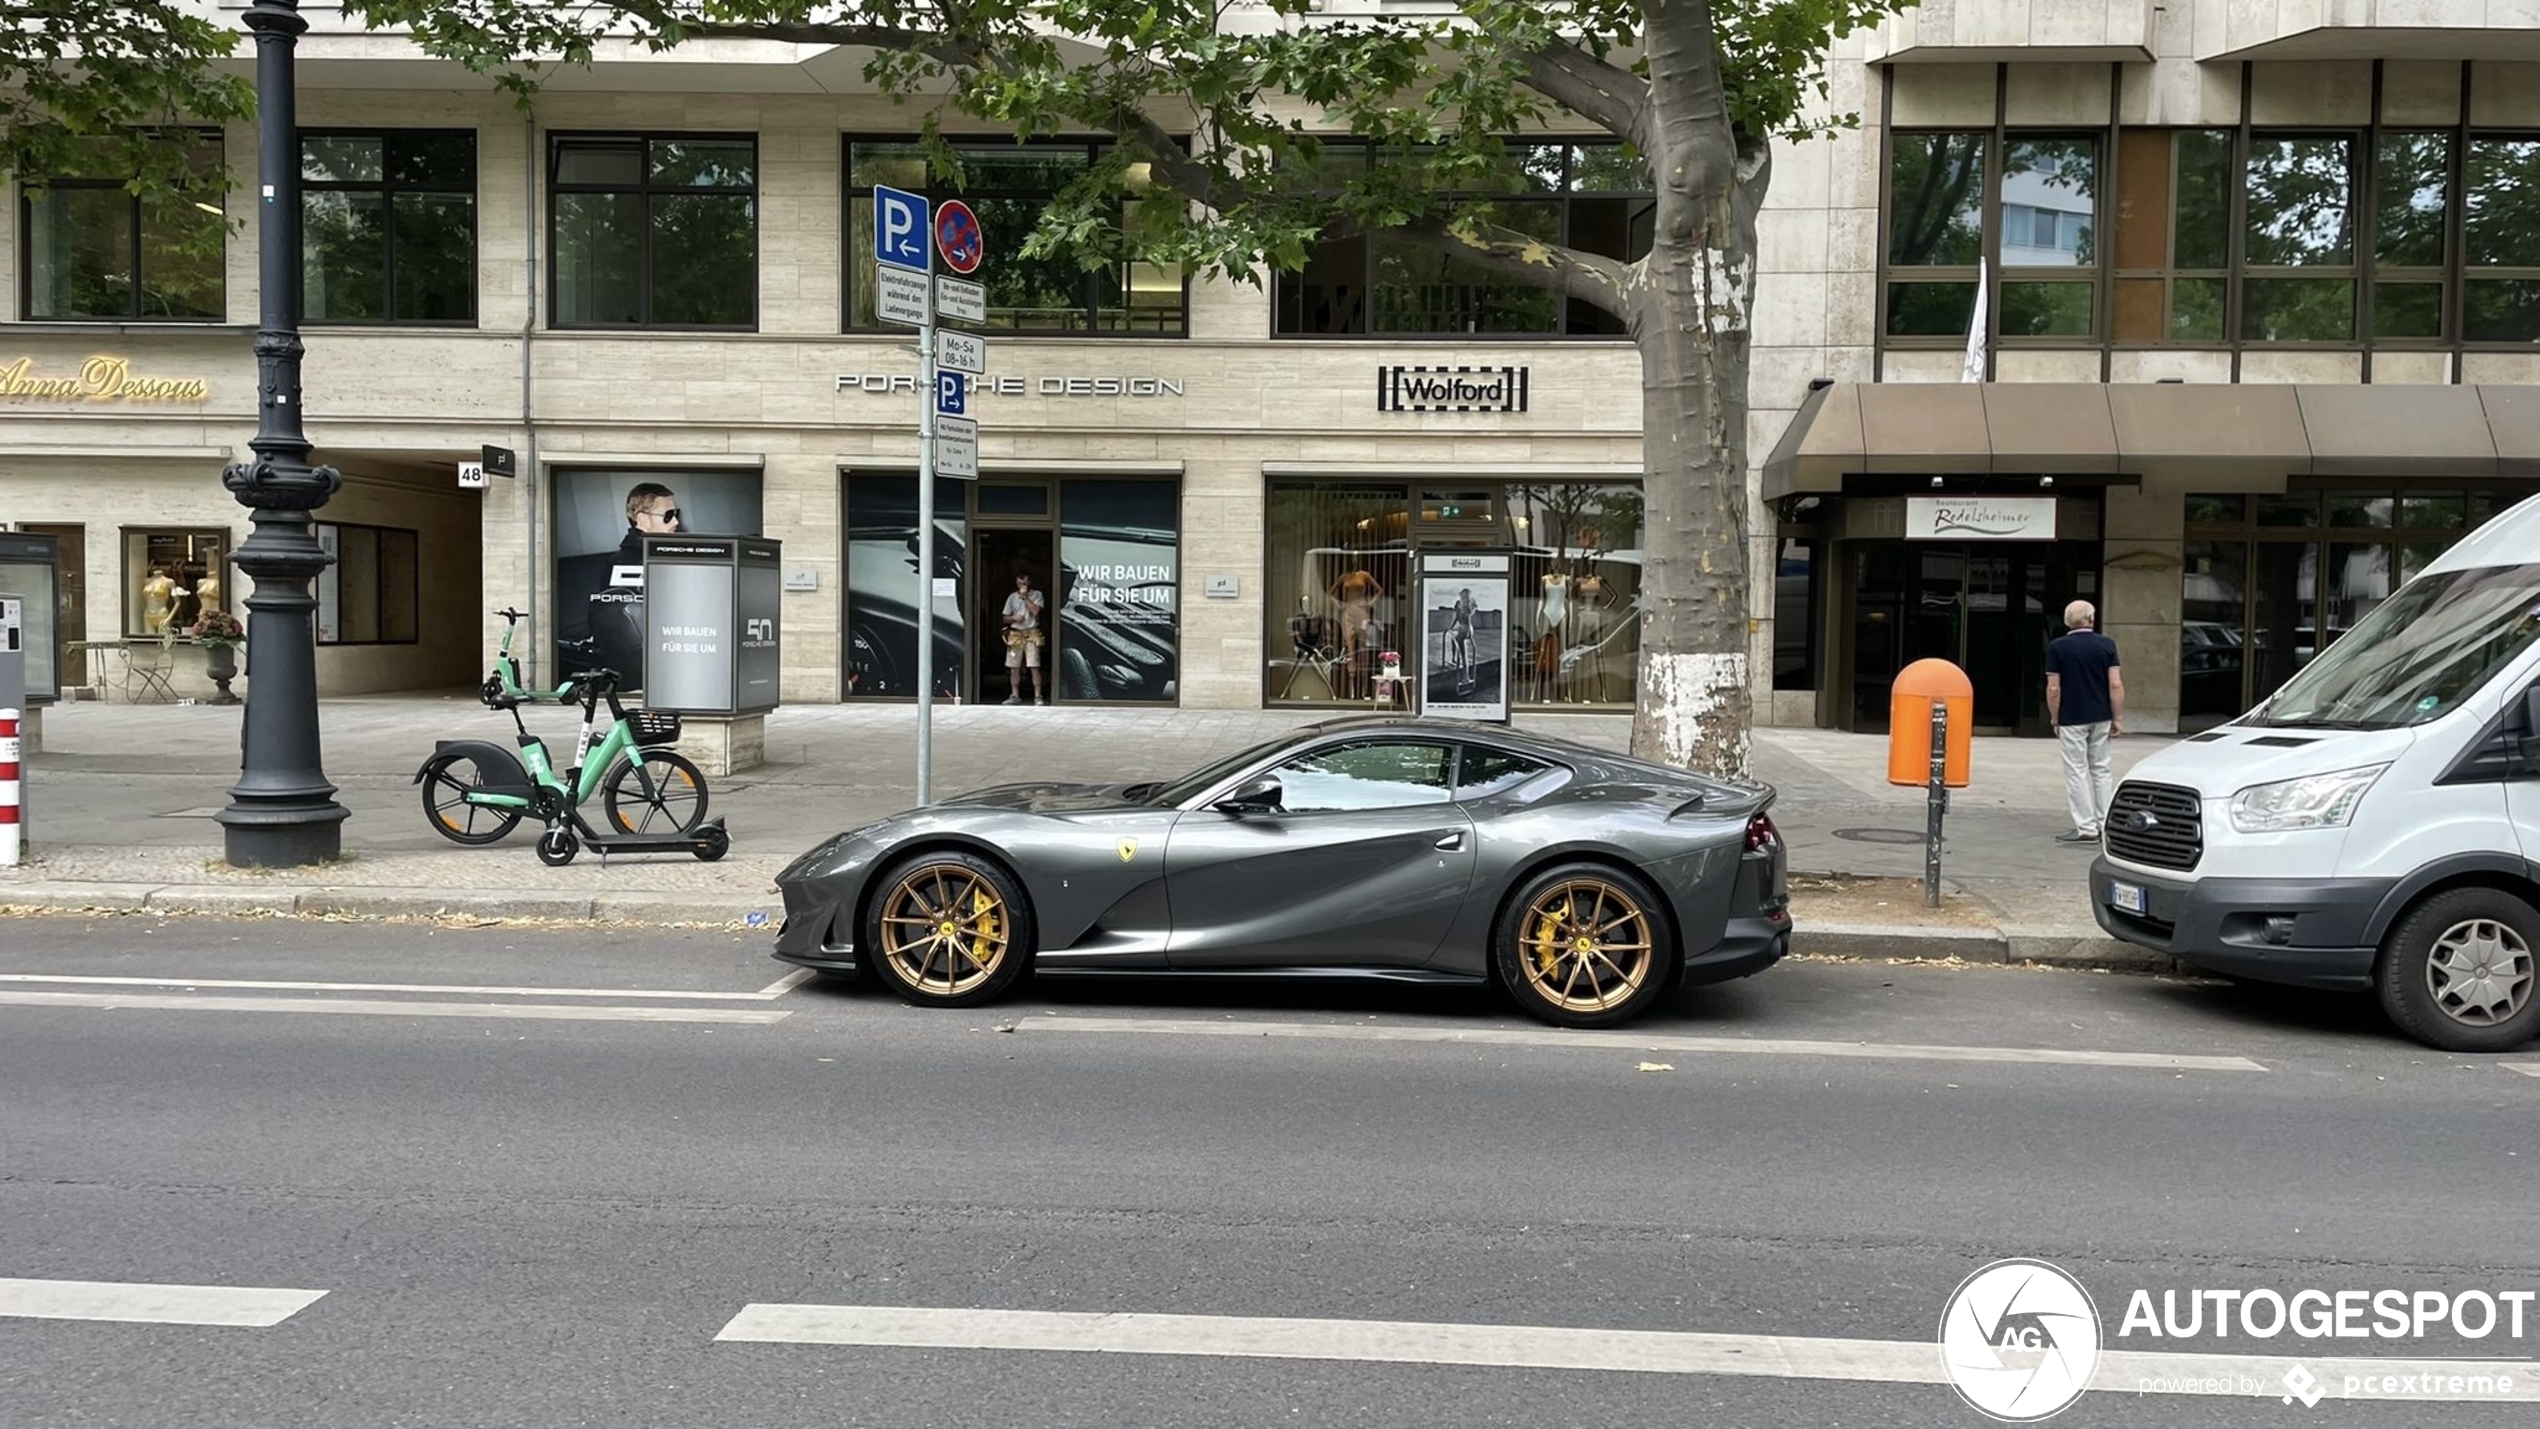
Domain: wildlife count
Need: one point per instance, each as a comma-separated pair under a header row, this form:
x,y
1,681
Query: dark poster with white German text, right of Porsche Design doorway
x,y
1119,590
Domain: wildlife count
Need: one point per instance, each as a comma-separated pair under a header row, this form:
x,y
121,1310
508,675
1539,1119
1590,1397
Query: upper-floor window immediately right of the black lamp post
x,y
390,227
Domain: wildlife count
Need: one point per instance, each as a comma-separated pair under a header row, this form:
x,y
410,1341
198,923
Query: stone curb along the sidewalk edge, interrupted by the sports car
x,y
1835,940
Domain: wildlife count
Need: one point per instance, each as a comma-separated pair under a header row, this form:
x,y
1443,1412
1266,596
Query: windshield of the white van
x,y
2419,656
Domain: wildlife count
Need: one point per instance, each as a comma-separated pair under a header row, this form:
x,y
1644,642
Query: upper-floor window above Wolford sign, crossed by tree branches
x,y
1386,286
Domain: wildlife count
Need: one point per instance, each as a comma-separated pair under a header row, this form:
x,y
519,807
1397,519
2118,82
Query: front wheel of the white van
x,y
2457,971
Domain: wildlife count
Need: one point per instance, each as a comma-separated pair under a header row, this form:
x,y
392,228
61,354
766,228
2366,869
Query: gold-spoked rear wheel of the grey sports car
x,y
1584,945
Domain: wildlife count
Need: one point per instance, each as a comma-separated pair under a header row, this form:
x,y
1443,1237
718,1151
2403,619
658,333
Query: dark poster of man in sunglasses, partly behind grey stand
x,y
601,524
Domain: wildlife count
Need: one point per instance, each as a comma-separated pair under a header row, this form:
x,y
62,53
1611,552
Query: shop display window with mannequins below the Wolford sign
x,y
1340,585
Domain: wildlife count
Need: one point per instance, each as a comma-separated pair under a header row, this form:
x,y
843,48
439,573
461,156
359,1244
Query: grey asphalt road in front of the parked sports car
x,y
545,1176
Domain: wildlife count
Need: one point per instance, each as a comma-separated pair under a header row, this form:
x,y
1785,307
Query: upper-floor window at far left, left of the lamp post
x,y
98,253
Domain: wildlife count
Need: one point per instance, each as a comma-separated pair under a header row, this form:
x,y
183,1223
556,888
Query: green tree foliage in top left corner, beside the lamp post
x,y
110,90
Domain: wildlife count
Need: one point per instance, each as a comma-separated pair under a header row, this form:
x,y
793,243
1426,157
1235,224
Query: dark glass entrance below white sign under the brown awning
x,y
1982,605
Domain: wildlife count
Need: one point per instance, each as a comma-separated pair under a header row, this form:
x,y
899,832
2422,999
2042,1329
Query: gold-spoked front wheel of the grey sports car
x,y
966,951
